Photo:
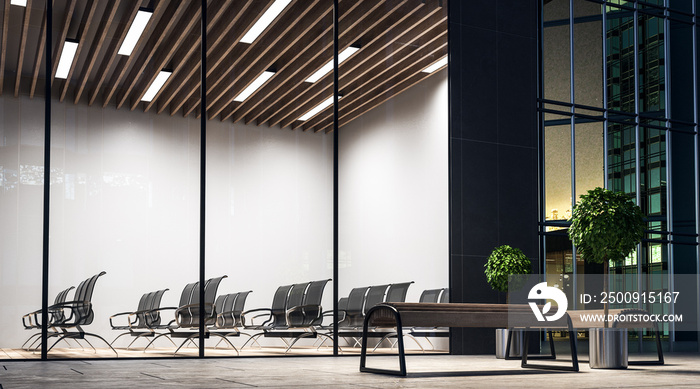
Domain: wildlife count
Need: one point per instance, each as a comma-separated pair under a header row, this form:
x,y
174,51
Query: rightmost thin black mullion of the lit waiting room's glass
x,y
336,14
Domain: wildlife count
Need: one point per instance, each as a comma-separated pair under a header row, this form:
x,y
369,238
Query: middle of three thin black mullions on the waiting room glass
x,y
202,174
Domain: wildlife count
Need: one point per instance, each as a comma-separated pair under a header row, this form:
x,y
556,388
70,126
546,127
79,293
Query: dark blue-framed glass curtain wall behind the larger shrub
x,y
618,94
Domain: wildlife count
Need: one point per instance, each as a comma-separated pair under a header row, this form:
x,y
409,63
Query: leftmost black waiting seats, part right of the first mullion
x,y
77,314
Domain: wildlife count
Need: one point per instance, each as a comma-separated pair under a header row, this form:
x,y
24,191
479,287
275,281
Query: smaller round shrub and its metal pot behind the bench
x,y
503,262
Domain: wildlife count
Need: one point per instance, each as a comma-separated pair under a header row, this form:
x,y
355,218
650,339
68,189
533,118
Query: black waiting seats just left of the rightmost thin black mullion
x,y
295,314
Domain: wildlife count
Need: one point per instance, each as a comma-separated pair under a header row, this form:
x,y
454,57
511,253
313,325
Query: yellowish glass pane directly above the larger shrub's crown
x,y
590,156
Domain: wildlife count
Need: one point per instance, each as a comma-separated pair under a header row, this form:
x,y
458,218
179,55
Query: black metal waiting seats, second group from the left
x,y
140,323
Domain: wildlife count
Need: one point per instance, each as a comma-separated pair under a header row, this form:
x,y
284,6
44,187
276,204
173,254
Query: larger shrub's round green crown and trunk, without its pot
x,y
606,226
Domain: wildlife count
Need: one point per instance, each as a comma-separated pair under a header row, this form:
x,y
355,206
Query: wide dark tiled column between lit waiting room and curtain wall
x,y
493,147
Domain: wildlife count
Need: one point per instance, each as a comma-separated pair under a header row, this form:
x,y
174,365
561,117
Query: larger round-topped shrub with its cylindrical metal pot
x,y
606,226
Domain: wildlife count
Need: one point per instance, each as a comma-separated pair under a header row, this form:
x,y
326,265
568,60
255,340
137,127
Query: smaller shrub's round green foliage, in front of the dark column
x,y
503,262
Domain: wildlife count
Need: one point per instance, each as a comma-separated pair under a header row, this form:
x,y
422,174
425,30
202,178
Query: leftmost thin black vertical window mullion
x,y
47,183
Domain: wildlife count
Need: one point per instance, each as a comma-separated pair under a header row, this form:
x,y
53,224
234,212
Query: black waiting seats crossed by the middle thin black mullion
x,y
186,322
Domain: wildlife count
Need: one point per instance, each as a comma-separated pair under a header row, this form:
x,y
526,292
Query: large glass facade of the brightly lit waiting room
x,y
191,205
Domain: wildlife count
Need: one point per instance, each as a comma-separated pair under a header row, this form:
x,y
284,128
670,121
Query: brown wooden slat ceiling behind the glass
x,y
397,40
